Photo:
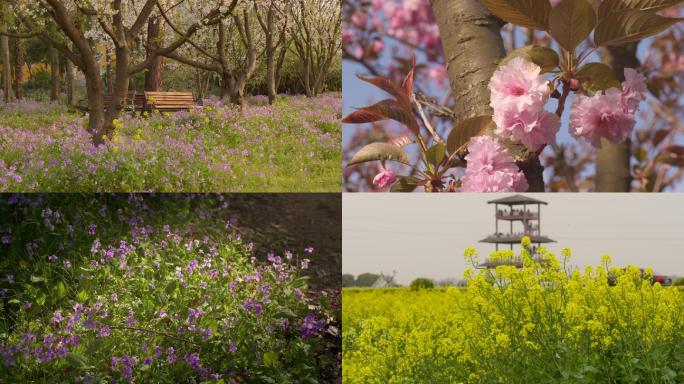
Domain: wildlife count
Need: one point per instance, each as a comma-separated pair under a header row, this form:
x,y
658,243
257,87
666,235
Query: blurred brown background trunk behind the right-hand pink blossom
x,y
613,172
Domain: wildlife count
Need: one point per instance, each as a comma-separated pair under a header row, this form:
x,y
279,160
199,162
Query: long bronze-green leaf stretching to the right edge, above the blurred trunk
x,y
628,26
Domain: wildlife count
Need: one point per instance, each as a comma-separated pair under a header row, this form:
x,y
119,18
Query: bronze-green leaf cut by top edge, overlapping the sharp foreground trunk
x,y
525,13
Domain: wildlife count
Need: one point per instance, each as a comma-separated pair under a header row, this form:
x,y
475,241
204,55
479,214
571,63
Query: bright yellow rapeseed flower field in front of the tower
x,y
531,325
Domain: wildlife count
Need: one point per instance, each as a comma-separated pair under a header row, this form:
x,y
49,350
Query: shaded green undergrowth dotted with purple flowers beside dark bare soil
x,y
152,288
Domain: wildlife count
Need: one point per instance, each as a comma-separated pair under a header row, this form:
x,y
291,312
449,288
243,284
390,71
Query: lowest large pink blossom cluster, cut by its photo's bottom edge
x,y
491,169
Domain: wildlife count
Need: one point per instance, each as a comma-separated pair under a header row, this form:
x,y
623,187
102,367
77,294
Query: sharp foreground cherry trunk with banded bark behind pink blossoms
x,y
473,47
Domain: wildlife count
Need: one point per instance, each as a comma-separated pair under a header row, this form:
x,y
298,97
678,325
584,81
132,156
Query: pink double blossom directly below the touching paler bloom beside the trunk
x,y
528,126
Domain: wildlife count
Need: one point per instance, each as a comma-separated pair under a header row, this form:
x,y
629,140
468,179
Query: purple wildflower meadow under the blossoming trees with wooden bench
x,y
291,146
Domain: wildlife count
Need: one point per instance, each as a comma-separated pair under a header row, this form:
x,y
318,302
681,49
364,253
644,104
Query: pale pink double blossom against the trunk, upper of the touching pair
x,y
518,83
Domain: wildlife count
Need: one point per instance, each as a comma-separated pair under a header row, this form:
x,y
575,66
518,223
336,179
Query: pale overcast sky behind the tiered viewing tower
x,y
424,235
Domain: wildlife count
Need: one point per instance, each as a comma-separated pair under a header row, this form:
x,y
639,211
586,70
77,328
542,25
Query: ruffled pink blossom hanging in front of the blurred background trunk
x,y
601,116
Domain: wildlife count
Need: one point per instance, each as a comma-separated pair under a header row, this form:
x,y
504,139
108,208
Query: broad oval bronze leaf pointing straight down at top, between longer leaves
x,y
571,22
